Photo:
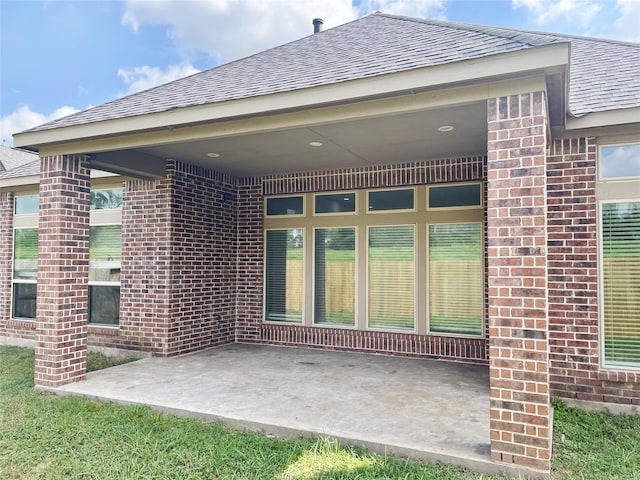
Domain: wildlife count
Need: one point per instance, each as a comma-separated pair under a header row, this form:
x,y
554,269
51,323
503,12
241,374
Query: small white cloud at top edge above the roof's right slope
x,y
576,12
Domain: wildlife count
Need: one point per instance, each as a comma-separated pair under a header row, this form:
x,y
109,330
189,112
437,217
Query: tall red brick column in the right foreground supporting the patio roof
x,y
517,276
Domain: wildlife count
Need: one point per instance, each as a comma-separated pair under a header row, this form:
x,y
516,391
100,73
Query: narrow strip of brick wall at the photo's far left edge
x,y
6,261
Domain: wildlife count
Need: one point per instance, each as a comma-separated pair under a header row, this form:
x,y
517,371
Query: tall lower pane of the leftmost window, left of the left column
x,y
25,270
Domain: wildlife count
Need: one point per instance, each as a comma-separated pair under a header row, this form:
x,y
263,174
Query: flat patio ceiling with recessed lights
x,y
396,138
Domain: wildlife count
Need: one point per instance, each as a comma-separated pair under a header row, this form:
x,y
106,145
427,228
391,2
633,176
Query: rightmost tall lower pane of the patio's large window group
x,y
456,279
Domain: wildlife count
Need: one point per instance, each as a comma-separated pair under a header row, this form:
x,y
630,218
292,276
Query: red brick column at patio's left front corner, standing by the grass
x,y
63,266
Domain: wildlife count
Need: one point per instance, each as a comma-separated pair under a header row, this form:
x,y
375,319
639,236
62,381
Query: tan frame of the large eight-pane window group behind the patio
x,y
419,217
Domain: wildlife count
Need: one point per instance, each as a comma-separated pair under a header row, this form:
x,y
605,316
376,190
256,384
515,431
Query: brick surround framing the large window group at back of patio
x,y
250,326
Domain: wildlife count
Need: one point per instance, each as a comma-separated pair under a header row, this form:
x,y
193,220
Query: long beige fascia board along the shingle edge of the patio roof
x,y
482,69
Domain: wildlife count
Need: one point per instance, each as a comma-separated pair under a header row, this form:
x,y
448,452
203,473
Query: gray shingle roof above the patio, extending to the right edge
x,y
605,74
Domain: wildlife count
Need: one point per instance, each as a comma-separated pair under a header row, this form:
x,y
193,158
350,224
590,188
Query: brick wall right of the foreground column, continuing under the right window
x,y
573,280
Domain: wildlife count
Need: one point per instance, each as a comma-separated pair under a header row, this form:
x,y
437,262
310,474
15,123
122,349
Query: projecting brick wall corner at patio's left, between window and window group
x,y
178,277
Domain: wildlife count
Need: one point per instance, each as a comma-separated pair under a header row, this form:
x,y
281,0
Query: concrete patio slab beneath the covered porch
x,y
419,408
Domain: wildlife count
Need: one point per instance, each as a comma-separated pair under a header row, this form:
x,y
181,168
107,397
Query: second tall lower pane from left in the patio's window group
x,y
335,276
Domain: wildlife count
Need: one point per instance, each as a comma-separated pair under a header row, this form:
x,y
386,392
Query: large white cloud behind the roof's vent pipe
x,y
231,29
